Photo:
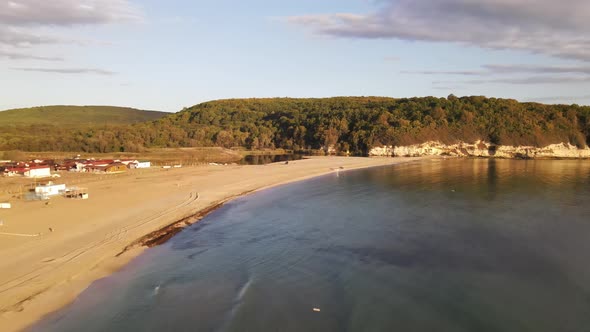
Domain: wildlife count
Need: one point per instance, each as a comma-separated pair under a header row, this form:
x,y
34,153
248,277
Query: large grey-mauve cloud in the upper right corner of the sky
x,y
555,28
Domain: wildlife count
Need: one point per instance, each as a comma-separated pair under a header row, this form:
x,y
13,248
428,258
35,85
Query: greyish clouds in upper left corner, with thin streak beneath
x,y
27,24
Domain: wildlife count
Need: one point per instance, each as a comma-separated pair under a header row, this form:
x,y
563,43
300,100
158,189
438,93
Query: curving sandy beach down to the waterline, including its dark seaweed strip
x,y
29,294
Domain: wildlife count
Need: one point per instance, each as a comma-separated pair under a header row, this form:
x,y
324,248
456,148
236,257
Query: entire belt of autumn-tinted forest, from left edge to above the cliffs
x,y
353,124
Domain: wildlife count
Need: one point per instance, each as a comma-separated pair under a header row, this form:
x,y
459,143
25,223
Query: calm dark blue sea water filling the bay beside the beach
x,y
445,245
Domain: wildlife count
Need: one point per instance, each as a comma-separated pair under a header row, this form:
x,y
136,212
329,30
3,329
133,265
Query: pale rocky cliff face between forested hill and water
x,y
482,149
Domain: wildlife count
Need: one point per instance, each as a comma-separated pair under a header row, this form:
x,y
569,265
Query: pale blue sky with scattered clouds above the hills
x,y
167,55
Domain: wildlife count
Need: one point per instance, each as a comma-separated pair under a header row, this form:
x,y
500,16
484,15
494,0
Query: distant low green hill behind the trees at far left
x,y
76,115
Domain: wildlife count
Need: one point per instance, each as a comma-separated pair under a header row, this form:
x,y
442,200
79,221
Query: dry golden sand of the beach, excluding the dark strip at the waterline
x,y
39,274
